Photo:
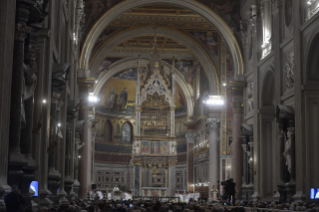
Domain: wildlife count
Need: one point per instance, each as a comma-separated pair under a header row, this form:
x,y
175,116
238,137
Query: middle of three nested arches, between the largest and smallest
x,y
186,40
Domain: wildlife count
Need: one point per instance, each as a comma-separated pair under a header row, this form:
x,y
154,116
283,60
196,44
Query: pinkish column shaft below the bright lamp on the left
x,y
85,153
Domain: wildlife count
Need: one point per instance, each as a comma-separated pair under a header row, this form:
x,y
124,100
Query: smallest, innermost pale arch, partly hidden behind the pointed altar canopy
x,y
132,62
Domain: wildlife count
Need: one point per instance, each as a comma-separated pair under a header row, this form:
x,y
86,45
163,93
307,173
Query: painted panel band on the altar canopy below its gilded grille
x,y
155,147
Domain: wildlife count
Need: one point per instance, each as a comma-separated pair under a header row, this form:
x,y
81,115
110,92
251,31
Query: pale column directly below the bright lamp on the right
x,y
213,175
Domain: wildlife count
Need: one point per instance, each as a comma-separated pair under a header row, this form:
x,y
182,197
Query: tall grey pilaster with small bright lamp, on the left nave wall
x,y
41,134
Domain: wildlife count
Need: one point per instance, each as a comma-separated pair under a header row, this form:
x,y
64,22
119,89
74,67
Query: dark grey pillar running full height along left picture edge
x,y
7,18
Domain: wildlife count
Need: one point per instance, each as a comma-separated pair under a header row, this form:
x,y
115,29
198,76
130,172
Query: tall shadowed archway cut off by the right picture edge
x,y
310,113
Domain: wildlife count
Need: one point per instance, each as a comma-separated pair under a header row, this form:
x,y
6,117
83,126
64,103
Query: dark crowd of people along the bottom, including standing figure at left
x,y
14,203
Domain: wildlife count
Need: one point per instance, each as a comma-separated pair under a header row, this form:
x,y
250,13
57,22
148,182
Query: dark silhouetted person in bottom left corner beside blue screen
x,y
14,200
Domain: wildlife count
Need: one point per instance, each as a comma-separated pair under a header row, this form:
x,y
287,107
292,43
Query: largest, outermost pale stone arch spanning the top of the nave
x,y
197,7
